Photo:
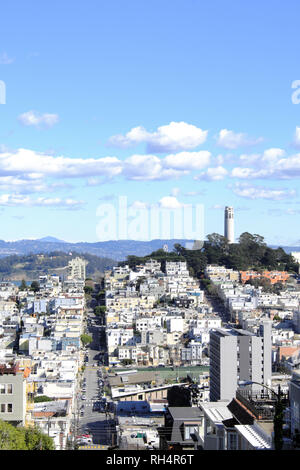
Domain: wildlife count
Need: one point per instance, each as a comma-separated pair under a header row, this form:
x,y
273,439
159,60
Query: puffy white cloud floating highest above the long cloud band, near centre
x,y
172,137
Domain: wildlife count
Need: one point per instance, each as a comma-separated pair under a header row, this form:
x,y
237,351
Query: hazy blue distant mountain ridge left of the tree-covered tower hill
x,y
115,249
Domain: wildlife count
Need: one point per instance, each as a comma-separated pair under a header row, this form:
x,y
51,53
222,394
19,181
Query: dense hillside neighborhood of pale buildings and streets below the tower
x,y
150,357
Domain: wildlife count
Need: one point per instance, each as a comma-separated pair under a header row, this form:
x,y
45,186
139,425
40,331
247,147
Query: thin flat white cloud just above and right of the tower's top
x,y
260,192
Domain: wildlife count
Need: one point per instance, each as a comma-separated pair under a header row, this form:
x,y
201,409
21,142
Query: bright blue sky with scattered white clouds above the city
x,y
169,103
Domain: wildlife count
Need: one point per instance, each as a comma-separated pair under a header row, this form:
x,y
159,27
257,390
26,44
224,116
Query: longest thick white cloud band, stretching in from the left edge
x,y
25,164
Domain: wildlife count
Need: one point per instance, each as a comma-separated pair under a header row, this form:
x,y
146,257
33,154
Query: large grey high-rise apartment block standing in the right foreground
x,y
239,355
